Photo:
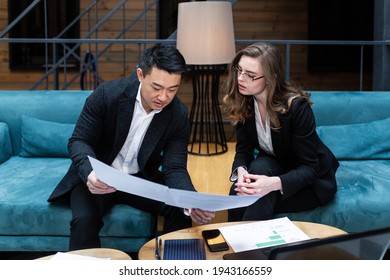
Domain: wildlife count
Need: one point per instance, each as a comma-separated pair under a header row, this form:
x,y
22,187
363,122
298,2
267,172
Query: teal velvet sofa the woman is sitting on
x,y
356,127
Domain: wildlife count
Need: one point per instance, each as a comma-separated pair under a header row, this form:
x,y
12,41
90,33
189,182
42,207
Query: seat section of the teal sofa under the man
x,y
25,185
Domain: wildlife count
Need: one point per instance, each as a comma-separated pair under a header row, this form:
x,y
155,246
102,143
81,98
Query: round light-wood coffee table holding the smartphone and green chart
x,y
148,250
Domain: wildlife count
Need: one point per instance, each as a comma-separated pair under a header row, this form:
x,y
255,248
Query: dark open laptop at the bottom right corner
x,y
367,245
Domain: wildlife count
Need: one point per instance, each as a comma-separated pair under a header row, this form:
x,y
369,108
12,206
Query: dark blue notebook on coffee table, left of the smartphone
x,y
184,249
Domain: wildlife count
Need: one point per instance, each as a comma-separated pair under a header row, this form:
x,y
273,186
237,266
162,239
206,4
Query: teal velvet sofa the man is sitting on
x,y
34,130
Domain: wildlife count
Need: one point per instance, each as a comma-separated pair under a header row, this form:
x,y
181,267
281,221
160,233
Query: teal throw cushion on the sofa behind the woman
x,y
358,141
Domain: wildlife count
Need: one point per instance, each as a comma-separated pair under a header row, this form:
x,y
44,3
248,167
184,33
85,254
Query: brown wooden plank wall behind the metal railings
x,y
253,20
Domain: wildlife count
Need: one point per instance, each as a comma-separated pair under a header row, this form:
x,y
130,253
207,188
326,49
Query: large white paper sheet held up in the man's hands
x,y
174,197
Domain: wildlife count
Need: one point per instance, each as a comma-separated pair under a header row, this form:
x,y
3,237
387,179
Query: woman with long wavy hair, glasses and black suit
x,y
279,155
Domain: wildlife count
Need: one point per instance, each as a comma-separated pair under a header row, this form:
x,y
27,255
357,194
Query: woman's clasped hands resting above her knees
x,y
259,185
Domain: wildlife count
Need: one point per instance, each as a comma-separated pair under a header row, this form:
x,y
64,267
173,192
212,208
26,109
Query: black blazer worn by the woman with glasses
x,y
304,157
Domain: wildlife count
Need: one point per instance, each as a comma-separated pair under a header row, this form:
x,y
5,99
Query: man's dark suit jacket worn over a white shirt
x,y
103,126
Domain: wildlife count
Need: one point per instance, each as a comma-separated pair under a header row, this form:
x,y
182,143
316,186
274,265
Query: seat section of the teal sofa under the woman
x,y
361,202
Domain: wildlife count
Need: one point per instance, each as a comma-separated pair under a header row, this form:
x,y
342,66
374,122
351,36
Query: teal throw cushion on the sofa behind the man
x,y
42,138
